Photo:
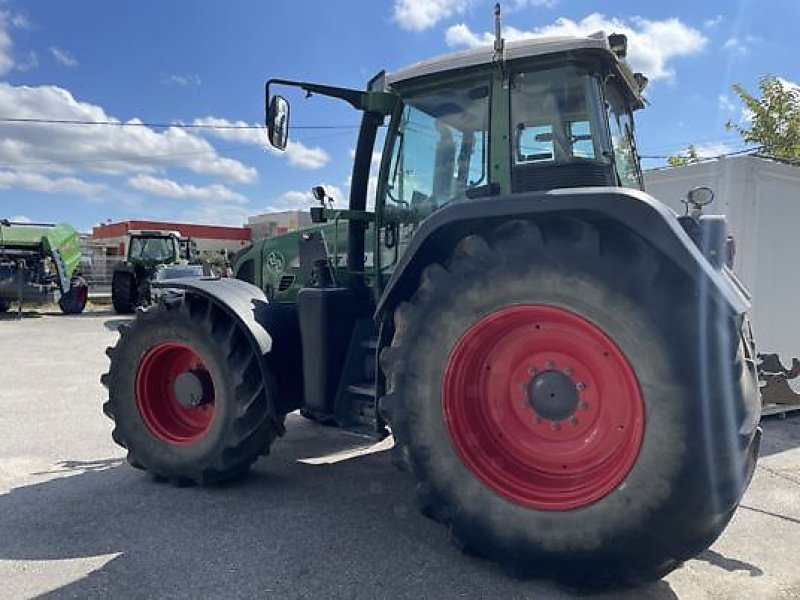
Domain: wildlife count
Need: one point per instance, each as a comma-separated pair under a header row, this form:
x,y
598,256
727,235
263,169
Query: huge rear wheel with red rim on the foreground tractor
x,y
486,451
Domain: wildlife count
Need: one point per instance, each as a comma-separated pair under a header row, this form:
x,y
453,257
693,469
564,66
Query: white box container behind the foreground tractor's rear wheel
x,y
761,200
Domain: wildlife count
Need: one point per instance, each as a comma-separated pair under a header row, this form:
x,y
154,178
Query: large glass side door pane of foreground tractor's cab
x,y
441,147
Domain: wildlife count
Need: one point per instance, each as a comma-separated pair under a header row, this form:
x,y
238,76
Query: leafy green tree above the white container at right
x,y
774,118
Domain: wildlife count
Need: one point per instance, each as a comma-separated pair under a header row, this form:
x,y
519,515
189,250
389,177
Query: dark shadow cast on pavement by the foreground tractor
x,y
291,529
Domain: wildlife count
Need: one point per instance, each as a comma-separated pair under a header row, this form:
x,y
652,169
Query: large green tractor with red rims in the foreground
x,y
565,370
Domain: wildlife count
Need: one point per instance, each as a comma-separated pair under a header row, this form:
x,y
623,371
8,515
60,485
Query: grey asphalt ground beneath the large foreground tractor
x,y
324,516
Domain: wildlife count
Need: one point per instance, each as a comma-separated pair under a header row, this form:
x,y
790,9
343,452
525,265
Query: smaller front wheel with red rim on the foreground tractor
x,y
232,421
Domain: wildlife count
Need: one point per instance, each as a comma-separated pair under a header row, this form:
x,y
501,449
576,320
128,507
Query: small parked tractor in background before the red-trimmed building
x,y
151,256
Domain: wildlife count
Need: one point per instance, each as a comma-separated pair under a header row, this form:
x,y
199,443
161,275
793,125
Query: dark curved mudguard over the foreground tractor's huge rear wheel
x,y
635,210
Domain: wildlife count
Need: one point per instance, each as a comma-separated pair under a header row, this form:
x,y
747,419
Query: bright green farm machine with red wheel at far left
x,y
39,262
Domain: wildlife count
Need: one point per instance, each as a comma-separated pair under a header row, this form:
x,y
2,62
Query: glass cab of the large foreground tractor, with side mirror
x,y
527,116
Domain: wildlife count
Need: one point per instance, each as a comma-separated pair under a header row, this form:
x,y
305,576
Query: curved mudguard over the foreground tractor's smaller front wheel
x,y
273,329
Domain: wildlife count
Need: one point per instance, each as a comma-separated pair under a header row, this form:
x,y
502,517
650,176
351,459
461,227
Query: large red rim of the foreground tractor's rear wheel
x,y
548,451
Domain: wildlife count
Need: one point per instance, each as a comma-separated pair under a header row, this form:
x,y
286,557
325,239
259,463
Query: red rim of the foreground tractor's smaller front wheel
x,y
164,415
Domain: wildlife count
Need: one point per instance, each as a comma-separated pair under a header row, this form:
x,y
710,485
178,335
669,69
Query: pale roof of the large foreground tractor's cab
x,y
528,48
